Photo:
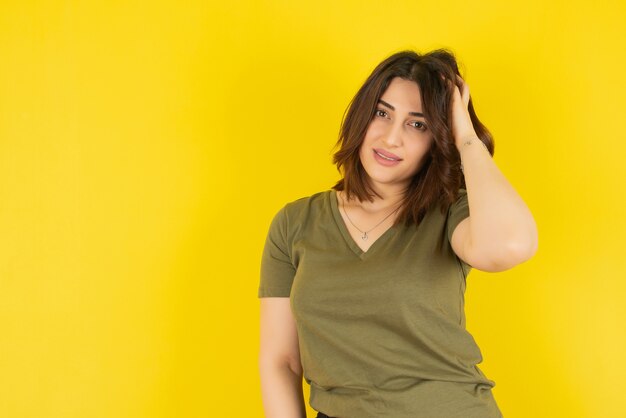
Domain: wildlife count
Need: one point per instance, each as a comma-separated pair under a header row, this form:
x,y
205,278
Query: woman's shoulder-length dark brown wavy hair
x,y
440,176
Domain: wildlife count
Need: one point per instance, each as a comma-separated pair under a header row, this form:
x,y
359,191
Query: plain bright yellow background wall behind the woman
x,y
145,146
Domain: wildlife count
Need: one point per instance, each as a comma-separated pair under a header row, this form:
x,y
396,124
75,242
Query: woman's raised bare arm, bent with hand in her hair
x,y
500,232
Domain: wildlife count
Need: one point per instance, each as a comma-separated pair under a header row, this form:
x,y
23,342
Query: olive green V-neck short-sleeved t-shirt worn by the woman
x,y
381,333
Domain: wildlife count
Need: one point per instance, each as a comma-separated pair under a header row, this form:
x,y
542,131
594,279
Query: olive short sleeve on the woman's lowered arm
x,y
277,269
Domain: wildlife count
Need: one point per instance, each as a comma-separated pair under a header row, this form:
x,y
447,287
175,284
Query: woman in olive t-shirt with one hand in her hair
x,y
362,286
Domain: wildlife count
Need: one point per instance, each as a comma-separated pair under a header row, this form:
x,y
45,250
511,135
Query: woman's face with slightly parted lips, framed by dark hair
x,y
398,137
